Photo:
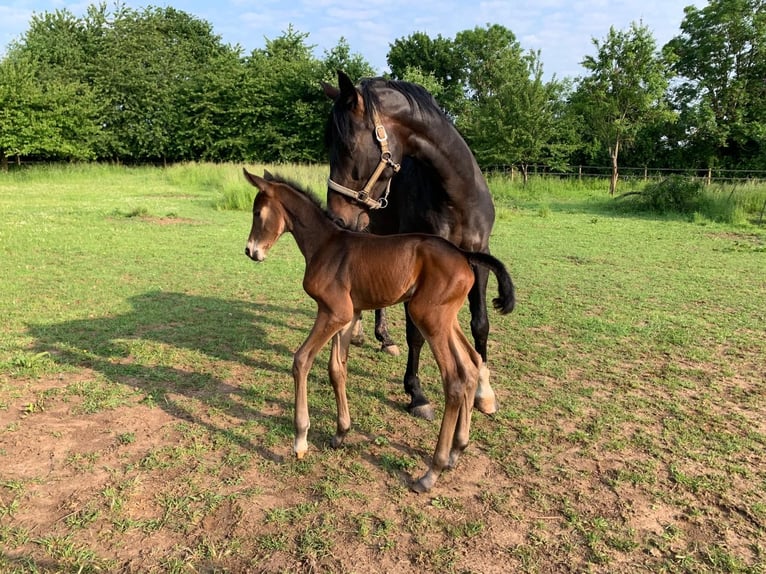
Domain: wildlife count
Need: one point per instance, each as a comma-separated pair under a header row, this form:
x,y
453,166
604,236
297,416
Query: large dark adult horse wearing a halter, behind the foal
x,y
399,165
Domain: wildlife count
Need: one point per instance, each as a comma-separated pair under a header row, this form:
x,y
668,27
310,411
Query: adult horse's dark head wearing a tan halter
x,y
363,154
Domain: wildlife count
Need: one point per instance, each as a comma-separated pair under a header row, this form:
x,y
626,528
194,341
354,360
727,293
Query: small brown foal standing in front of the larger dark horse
x,y
349,272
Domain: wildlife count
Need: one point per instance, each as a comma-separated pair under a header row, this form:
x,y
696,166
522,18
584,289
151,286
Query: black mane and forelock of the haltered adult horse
x,y
417,97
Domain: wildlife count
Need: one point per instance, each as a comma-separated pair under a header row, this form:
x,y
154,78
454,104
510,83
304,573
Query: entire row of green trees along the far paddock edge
x,y
158,85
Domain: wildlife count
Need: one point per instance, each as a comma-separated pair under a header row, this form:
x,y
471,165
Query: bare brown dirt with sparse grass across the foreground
x,y
202,481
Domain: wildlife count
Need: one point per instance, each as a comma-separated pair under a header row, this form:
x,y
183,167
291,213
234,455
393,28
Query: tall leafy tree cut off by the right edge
x,y
720,58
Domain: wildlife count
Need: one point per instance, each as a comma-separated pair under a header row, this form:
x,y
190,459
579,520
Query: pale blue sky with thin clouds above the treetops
x,y
562,30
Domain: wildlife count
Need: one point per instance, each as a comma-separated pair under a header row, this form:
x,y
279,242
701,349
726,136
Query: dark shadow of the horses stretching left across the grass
x,y
223,330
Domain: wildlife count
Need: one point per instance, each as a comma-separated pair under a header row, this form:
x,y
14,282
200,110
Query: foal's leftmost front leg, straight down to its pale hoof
x,y
325,326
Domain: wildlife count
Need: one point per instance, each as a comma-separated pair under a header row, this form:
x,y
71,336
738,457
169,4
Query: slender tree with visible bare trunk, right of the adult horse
x,y
624,91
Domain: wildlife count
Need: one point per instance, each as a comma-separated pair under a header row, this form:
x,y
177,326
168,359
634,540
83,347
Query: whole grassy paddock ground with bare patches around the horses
x,y
146,394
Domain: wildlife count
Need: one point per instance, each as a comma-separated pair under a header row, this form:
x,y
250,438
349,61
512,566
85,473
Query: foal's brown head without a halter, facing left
x,y
269,221
